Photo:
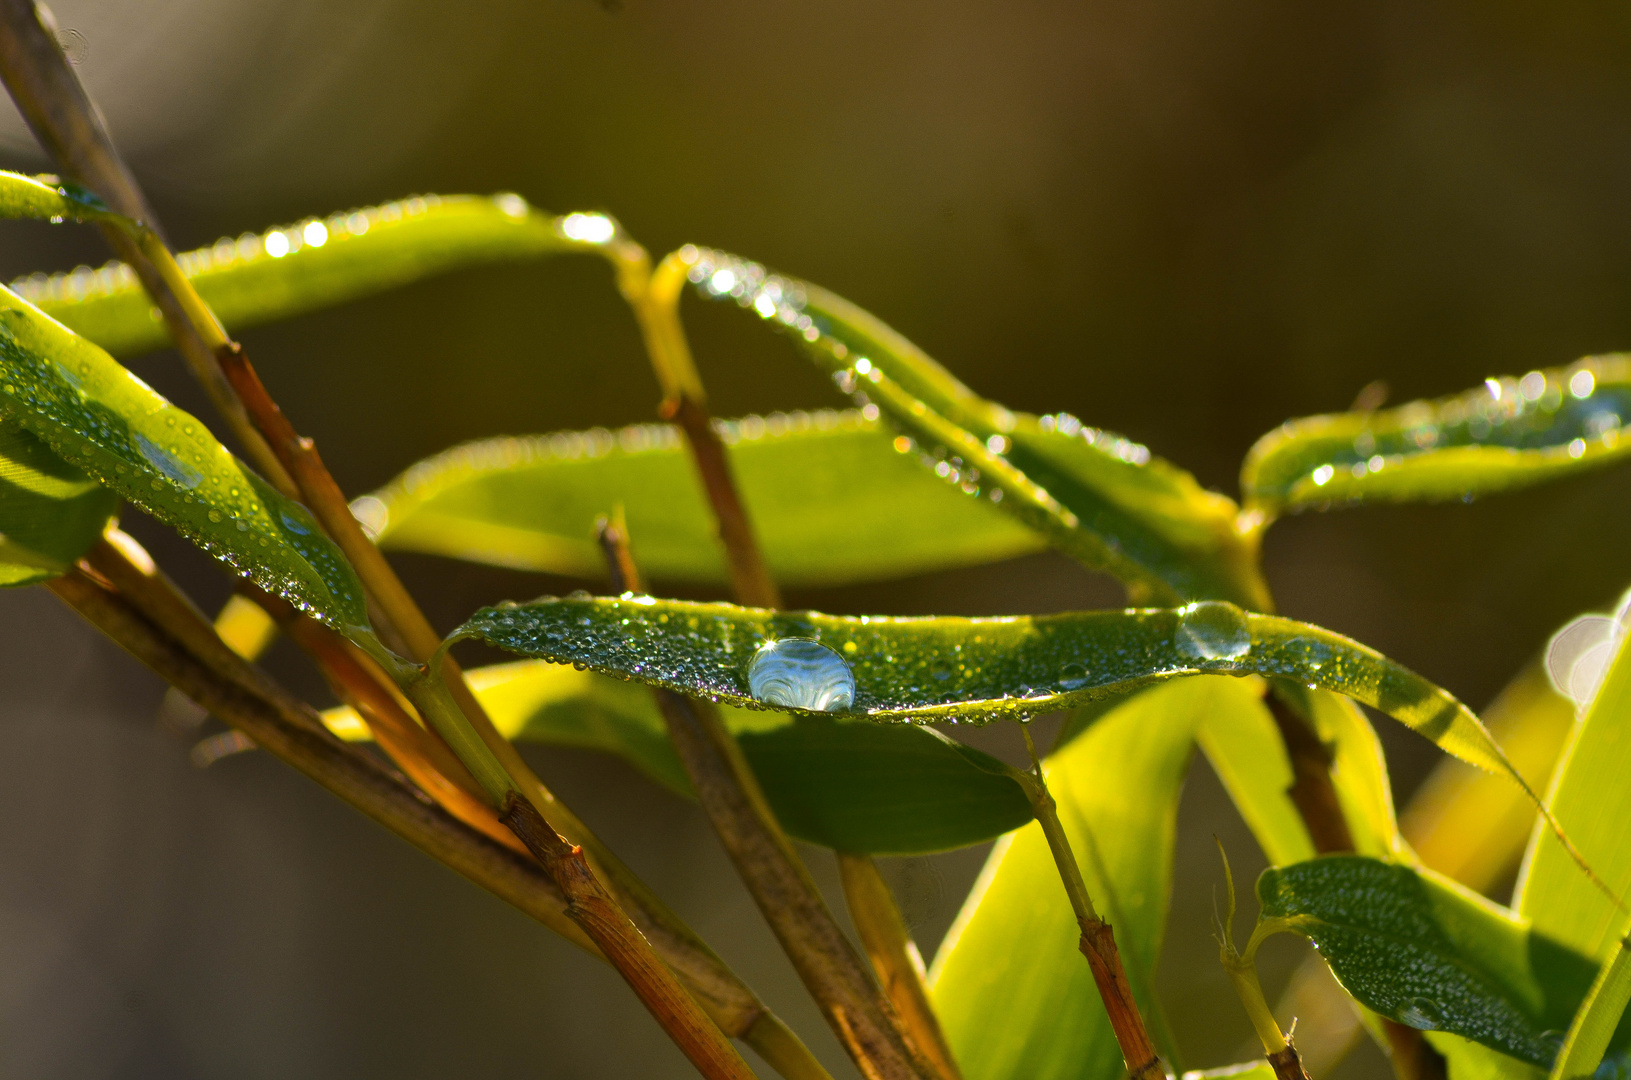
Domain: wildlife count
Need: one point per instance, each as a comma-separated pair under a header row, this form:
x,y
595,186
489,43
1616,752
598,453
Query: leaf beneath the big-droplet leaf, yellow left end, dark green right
x,y
855,787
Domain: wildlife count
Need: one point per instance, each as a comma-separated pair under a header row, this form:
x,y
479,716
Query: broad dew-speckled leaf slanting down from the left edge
x,y
100,418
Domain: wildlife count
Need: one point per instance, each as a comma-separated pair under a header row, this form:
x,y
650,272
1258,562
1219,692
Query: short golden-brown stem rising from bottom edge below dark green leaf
x,y
895,958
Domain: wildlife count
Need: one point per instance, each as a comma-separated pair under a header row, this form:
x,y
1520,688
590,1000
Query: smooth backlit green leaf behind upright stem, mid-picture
x,y
831,500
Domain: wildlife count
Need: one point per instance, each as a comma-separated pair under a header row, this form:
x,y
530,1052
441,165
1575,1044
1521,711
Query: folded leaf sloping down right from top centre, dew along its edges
x,y
1095,495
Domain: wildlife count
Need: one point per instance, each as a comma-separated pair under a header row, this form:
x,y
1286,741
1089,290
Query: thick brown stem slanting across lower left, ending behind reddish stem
x,y
293,732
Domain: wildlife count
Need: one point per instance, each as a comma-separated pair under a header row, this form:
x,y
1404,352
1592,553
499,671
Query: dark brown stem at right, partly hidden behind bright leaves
x,y
1315,799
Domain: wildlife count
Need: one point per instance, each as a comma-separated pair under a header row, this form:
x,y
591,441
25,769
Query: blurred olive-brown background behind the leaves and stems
x,y
1185,221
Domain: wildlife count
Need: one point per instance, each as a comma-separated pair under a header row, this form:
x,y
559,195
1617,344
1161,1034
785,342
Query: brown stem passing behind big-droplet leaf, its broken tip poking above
x,y
833,972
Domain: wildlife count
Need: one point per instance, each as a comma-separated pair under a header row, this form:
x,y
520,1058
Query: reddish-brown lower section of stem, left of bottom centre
x,y
604,921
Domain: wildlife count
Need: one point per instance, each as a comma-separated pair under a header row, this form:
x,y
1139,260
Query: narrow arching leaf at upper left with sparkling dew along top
x,y
317,263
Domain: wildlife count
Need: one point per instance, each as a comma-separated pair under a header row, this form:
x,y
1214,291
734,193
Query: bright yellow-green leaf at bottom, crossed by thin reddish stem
x,y
1014,994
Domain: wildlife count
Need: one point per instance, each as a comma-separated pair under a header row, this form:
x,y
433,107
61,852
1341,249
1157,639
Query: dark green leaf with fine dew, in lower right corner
x,y
1420,949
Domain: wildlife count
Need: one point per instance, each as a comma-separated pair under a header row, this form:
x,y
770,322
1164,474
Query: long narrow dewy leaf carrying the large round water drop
x,y
975,670
